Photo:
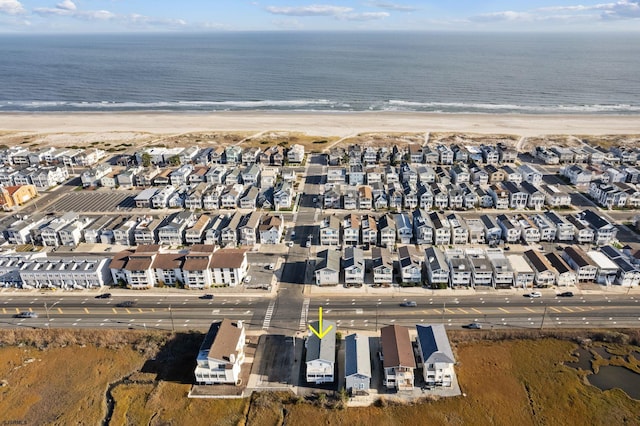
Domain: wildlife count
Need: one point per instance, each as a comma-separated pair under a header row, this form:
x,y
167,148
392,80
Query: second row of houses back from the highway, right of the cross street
x,y
424,227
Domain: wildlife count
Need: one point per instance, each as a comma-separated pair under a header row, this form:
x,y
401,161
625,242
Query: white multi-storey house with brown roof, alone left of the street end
x,y
221,354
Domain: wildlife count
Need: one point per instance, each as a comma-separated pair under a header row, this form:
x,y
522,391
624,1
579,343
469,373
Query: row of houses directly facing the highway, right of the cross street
x,y
474,267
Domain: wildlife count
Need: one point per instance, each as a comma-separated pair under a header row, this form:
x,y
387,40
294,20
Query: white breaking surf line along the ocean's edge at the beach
x,y
393,105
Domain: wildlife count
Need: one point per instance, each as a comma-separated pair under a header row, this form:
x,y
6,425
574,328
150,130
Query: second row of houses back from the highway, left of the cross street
x,y
181,228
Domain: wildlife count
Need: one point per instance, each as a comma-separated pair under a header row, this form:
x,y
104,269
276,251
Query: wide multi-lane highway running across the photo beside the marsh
x,y
351,314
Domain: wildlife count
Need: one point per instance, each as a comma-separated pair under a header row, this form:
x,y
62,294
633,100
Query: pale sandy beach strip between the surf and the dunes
x,y
320,123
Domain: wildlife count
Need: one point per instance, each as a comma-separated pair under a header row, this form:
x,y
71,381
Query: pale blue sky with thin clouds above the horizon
x,y
79,16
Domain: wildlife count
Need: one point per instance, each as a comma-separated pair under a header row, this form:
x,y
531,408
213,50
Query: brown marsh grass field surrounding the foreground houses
x,y
61,377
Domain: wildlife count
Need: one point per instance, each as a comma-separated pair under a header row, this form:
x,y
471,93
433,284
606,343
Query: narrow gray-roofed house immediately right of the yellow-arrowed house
x,y
357,364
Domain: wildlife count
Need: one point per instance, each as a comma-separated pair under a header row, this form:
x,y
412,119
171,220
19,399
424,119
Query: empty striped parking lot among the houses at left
x,y
95,201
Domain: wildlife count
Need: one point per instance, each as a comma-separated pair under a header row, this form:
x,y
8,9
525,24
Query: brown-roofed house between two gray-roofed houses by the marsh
x,y
398,361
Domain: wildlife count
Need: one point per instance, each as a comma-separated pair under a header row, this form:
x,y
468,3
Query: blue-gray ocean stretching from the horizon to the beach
x,y
323,71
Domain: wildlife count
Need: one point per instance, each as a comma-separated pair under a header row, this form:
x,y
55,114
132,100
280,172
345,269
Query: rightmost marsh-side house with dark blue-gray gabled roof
x,y
436,355
